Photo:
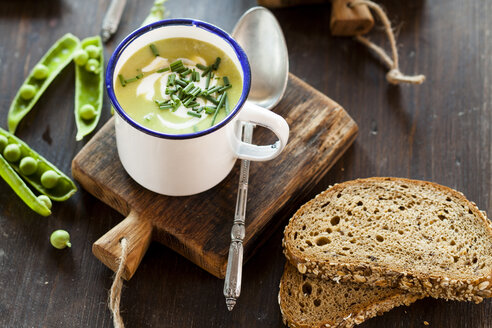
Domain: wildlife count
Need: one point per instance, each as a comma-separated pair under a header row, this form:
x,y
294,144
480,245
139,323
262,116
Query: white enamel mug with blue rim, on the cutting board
x,y
186,164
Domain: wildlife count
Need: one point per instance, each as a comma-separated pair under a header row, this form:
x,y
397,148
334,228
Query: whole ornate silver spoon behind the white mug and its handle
x,y
260,35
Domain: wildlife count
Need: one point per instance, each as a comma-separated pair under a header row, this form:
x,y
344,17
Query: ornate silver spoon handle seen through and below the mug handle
x,y
232,283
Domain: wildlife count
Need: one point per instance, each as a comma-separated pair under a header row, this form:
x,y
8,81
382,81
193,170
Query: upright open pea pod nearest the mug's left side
x,y
89,85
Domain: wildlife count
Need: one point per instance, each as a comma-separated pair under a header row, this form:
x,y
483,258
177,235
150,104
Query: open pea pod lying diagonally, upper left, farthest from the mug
x,y
45,71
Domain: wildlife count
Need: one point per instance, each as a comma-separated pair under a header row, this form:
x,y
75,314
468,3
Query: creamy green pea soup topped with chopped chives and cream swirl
x,y
178,85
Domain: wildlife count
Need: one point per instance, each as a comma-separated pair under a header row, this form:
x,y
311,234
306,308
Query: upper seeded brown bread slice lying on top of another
x,y
414,235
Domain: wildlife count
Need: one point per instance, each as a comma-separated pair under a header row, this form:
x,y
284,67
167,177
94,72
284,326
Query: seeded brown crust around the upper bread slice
x,y
437,286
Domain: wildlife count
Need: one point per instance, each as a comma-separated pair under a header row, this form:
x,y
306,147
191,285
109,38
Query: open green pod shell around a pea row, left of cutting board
x,y
64,186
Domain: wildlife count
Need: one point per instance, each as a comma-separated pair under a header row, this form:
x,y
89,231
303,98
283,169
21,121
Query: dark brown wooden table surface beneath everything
x,y
439,131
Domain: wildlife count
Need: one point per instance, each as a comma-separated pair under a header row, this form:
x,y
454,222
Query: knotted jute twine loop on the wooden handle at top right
x,y
394,76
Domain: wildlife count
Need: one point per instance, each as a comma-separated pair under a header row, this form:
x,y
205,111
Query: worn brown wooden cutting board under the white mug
x,y
198,227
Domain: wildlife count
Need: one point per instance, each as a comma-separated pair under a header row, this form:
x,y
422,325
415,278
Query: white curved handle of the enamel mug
x,y
261,116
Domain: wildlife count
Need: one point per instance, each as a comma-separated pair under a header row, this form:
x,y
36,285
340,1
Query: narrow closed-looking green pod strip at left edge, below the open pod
x,y
21,189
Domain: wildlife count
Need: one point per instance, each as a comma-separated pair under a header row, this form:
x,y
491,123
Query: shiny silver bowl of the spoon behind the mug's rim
x,y
261,37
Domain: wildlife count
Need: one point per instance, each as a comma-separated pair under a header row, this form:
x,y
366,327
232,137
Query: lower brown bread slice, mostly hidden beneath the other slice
x,y
307,302
